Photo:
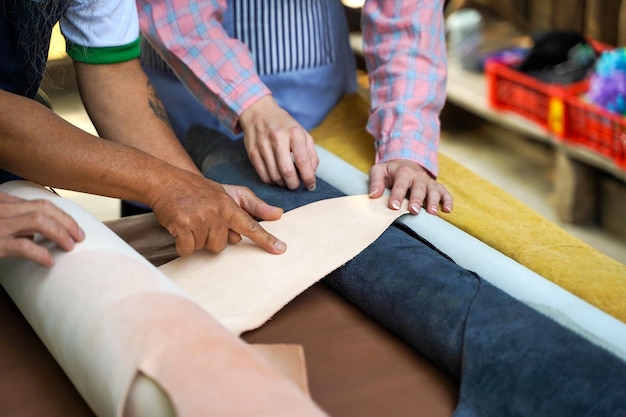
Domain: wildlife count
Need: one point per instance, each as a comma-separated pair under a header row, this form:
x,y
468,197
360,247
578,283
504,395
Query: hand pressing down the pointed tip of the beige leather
x,y
409,178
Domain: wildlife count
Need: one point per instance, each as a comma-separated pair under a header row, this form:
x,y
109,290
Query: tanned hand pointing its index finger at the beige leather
x,y
201,213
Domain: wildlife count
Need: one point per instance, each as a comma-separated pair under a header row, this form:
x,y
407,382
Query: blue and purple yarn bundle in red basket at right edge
x,y
607,85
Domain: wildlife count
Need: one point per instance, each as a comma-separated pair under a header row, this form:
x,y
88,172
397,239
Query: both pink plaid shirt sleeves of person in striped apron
x,y
404,45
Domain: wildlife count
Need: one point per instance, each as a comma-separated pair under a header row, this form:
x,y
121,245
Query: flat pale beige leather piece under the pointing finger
x,y
244,286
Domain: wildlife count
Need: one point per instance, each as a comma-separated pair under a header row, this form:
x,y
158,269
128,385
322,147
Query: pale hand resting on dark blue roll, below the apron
x,y
281,151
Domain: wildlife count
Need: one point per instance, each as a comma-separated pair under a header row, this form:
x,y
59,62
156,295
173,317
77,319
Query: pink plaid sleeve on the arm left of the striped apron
x,y
217,69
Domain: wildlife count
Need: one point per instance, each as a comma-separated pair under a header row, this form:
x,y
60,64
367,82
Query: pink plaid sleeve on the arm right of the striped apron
x,y
404,44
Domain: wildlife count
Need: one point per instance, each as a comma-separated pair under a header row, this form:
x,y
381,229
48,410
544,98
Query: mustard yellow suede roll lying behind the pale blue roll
x,y
494,217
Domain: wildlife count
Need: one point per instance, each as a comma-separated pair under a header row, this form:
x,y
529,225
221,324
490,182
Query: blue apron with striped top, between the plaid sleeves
x,y
302,53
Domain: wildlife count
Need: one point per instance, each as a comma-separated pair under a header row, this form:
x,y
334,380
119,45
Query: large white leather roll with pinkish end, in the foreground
x,y
131,341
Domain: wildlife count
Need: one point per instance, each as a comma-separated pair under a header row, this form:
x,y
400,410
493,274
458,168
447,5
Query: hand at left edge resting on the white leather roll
x,y
21,219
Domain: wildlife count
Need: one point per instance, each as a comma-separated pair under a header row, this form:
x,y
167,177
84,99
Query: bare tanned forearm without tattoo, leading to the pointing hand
x,y
38,145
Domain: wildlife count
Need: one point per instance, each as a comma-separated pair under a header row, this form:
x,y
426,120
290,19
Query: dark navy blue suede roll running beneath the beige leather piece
x,y
510,360
